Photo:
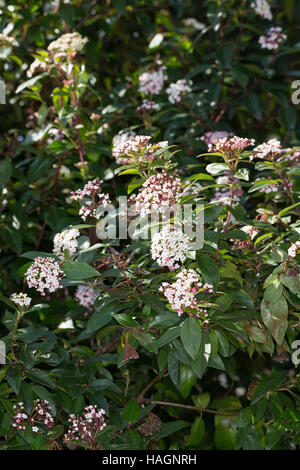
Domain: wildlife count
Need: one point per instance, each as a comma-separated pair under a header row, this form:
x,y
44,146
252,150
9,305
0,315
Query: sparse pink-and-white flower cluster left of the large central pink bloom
x,y
90,198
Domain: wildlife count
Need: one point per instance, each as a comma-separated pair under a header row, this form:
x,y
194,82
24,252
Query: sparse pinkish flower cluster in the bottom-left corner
x,y
40,415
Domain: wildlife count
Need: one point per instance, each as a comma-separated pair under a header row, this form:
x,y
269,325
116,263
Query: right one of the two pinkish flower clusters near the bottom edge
x,y
86,427
